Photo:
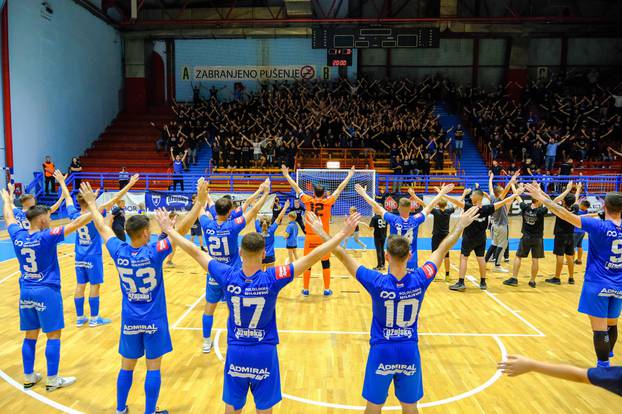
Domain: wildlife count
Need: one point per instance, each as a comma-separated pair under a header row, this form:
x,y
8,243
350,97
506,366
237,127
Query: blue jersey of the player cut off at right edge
x,y
604,256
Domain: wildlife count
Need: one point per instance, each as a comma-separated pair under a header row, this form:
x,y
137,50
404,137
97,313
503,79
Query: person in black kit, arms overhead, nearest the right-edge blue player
x,y
564,237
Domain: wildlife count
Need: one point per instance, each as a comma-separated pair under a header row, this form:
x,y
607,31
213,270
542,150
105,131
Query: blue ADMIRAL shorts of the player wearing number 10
x,y
397,362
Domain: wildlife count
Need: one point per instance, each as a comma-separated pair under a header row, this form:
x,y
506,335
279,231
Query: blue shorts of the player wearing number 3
x,y
41,307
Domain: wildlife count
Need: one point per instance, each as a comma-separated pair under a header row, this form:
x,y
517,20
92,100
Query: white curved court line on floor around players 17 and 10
x,y
444,401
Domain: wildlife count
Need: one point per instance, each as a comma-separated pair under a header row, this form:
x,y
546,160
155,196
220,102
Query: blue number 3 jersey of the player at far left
x,y
37,255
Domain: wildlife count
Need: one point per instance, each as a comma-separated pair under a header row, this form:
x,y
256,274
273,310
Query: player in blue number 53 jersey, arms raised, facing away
x,y
144,321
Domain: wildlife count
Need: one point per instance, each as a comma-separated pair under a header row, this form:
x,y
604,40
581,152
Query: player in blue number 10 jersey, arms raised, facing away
x,y
396,302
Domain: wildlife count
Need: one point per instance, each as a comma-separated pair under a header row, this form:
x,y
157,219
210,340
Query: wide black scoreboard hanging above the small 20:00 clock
x,y
382,37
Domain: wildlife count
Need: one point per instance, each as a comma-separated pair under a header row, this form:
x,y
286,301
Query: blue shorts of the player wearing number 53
x,y
140,338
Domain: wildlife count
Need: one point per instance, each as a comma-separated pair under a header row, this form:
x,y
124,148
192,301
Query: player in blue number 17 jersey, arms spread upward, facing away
x,y
252,360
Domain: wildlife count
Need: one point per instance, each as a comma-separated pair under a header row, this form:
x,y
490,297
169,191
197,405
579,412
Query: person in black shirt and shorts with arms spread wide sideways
x,y
474,236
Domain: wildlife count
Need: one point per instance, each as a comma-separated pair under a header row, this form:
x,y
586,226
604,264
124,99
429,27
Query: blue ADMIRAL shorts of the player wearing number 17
x,y
254,367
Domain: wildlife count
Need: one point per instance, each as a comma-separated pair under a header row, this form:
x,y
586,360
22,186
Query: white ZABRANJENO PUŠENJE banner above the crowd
x,y
245,73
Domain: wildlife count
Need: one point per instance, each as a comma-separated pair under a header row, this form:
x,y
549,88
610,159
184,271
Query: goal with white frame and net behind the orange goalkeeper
x,y
330,180
